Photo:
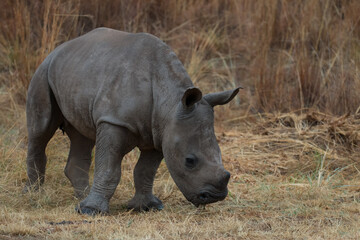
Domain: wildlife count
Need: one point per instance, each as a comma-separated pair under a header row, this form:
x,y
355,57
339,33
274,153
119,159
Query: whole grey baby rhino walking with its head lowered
x,y
118,91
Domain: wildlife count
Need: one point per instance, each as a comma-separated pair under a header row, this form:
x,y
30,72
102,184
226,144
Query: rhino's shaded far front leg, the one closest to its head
x,y
144,175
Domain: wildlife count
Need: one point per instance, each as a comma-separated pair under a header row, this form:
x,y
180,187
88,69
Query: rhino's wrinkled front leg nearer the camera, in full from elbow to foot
x,y
112,143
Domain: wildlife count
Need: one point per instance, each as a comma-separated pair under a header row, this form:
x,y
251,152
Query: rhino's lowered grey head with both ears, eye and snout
x,y
191,150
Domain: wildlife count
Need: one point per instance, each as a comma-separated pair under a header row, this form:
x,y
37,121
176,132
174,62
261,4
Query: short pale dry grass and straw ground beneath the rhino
x,y
293,176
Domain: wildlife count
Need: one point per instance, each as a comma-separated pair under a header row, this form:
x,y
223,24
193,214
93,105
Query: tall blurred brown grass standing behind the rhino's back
x,y
288,55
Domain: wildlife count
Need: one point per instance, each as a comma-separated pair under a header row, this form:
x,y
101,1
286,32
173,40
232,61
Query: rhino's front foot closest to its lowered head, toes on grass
x,y
145,203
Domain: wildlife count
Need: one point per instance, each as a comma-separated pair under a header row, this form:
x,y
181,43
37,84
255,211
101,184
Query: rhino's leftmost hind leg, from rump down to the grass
x,y
43,118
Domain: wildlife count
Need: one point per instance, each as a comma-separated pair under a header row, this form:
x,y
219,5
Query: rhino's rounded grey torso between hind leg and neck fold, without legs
x,y
106,76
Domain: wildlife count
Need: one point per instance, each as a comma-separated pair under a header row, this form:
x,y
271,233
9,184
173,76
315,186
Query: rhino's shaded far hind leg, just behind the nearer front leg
x,y
79,161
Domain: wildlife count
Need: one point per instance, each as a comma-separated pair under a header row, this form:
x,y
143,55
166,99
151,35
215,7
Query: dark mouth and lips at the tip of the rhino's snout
x,y
209,195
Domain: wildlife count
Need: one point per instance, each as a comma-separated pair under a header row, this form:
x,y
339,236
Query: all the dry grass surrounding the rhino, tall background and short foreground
x,y
295,173
